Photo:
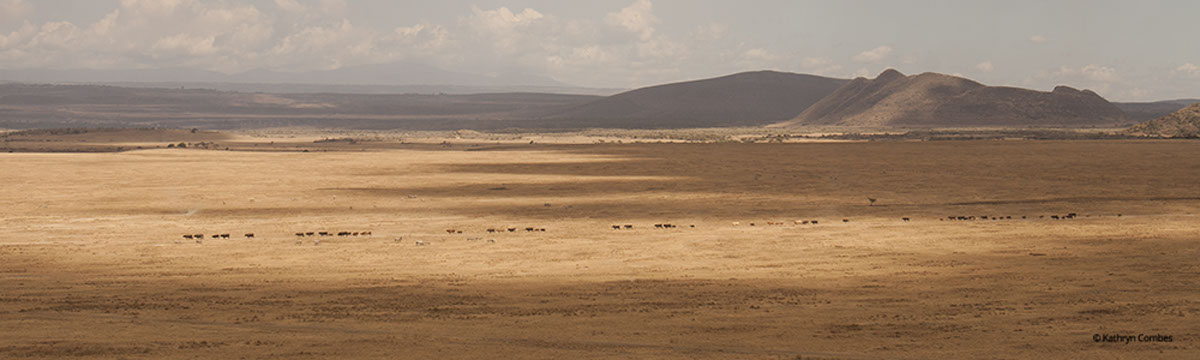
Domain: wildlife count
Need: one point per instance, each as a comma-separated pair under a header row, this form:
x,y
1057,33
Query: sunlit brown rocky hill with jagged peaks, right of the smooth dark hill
x,y
934,100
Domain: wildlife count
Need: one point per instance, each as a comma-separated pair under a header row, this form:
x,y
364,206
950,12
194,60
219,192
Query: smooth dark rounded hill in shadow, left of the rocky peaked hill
x,y
748,99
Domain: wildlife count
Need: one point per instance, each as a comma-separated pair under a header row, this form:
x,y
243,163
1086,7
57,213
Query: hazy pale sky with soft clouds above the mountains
x,y
1125,51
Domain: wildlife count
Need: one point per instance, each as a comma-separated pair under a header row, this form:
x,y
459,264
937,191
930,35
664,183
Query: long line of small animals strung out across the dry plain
x,y
317,236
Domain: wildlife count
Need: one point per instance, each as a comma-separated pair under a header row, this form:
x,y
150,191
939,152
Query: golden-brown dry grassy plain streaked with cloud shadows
x,y
91,267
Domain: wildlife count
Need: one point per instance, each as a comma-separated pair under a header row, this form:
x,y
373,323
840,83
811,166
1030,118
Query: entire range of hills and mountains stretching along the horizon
x,y
748,99
